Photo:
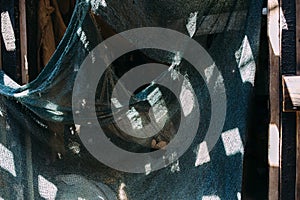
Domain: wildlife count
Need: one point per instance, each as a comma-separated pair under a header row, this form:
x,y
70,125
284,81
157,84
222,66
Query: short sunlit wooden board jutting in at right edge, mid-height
x,y
291,93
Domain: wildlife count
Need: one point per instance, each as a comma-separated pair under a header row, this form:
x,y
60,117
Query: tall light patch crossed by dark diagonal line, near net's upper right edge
x,y
246,62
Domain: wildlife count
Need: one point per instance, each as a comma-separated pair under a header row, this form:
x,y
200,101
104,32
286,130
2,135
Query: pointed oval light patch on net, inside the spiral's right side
x,y
186,98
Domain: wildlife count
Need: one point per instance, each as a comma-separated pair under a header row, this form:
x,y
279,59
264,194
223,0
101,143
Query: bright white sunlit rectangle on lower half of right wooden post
x,y
273,155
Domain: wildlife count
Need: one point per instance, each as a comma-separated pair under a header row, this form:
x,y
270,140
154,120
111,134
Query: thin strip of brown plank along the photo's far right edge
x,y
297,193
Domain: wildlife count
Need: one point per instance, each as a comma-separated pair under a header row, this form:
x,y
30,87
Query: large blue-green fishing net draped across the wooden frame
x,y
41,154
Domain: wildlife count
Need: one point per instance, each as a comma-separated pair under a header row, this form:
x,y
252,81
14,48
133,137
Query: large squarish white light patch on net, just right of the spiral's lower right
x,y
232,142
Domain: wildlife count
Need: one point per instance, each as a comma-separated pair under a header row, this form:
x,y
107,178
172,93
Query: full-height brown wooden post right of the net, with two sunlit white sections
x,y
274,145
